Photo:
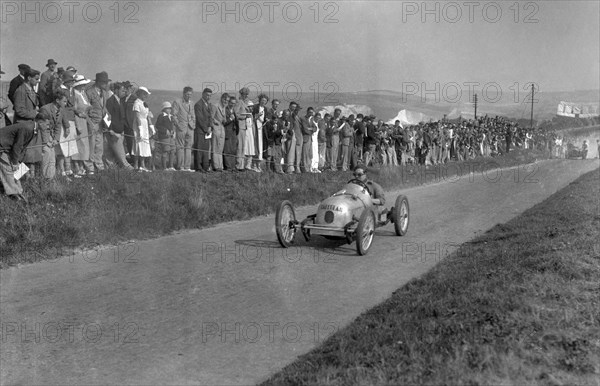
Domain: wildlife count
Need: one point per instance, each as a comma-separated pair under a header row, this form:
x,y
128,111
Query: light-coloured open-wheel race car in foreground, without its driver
x,y
348,214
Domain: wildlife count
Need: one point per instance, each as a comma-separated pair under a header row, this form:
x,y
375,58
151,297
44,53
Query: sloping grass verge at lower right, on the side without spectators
x,y
518,305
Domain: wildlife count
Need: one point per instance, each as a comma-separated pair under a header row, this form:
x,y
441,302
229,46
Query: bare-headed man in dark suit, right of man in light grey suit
x,y
203,110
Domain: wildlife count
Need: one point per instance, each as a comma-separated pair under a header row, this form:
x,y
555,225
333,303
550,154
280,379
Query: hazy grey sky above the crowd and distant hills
x,y
339,46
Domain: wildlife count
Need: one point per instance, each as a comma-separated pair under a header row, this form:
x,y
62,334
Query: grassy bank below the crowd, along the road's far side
x,y
117,206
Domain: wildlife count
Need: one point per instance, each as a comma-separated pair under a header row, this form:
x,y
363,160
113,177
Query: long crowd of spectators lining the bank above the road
x,y
68,125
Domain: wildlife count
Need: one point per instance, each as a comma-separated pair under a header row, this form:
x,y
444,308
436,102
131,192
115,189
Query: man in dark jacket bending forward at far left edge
x,y
14,139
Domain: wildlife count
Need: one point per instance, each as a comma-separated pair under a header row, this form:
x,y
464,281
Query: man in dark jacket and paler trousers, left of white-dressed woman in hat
x,y
115,151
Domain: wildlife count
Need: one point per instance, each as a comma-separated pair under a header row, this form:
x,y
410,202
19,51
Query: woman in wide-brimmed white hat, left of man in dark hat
x,y
81,108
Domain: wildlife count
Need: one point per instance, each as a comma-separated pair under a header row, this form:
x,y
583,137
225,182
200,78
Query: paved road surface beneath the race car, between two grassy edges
x,y
226,305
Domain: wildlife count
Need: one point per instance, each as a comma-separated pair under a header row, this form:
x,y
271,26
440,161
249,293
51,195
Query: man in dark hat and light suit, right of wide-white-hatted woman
x,y
97,95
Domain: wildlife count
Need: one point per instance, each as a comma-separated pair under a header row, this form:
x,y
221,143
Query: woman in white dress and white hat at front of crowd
x,y
142,130
